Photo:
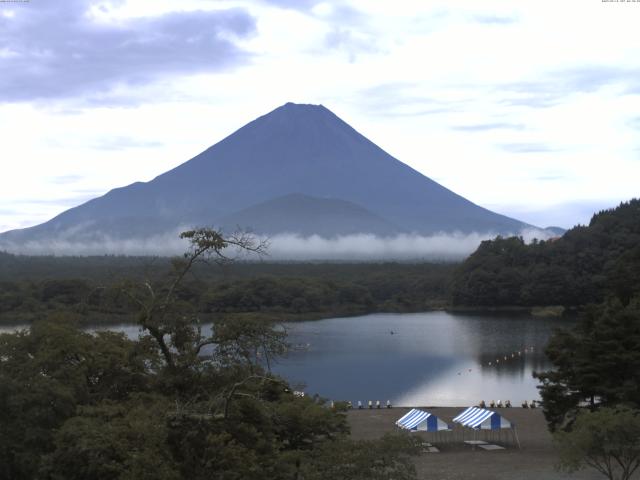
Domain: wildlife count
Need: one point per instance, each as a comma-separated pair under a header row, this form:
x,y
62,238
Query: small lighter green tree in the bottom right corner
x,y
607,440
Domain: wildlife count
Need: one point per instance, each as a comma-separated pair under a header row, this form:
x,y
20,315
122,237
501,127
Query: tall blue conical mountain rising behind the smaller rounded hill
x,y
295,148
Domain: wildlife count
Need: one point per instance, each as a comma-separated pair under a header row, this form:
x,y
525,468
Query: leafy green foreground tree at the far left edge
x,y
50,370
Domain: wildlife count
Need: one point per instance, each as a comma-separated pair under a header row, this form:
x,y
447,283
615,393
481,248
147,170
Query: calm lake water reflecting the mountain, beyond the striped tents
x,y
433,358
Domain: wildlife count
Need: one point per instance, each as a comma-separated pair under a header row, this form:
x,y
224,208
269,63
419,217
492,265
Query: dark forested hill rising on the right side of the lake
x,y
586,265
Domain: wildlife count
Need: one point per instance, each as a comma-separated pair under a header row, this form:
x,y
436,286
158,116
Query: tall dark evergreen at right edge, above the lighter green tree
x,y
595,364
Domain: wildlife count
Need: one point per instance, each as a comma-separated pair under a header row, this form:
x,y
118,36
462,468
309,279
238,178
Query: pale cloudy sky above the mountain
x,y
528,108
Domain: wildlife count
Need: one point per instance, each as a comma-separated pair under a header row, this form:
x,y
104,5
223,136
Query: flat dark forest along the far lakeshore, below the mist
x,y
92,286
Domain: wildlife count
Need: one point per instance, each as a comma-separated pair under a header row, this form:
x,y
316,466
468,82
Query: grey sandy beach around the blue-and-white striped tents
x,y
456,460
